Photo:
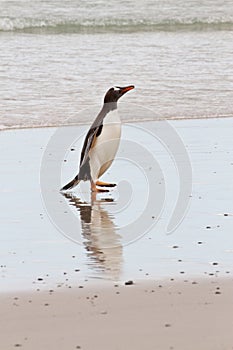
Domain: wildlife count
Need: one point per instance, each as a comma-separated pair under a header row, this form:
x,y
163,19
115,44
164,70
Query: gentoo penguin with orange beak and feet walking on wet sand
x,y
101,143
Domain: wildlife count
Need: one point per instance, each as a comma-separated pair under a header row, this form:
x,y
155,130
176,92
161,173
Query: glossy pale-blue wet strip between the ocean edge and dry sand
x,y
36,254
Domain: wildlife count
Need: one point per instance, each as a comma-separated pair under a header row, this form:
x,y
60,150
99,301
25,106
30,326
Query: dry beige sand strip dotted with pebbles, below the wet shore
x,y
175,315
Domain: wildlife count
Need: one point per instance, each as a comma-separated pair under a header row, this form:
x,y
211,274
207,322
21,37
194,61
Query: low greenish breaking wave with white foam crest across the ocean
x,y
59,26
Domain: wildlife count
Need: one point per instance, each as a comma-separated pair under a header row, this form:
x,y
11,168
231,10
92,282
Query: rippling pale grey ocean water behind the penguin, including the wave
x,y
58,58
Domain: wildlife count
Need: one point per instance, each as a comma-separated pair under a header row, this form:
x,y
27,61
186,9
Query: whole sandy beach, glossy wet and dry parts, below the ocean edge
x,y
66,290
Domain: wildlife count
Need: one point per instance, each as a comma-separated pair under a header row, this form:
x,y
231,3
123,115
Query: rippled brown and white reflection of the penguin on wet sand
x,y
99,232
